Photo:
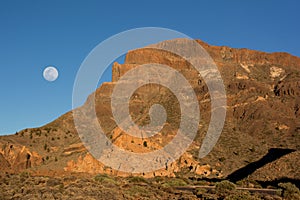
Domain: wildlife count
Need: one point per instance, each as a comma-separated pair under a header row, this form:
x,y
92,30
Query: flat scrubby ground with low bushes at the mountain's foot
x,y
83,186
